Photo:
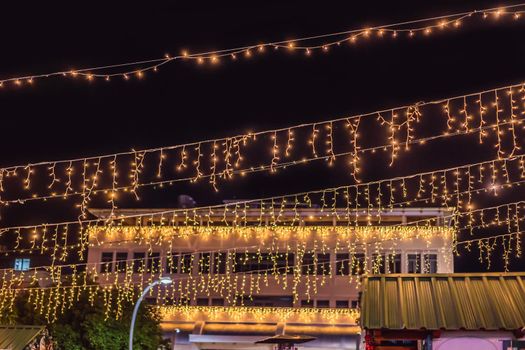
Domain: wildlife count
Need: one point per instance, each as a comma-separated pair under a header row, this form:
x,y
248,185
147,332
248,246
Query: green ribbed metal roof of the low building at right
x,y
491,301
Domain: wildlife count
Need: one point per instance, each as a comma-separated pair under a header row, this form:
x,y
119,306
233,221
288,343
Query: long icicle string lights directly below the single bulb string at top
x,y
104,174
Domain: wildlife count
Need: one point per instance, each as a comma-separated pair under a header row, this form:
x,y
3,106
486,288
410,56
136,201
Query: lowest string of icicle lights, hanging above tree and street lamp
x,y
306,273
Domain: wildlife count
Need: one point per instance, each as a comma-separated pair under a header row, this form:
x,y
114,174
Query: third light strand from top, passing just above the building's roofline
x,y
360,196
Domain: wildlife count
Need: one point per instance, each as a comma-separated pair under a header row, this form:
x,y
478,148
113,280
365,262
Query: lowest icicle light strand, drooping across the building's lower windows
x,y
64,295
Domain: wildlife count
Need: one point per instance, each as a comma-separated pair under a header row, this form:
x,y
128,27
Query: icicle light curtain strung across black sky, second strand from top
x,y
108,164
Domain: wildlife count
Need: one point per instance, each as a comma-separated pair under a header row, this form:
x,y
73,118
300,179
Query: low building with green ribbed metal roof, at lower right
x,y
482,311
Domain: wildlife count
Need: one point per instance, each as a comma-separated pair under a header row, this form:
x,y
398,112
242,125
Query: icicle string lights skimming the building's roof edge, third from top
x,y
452,187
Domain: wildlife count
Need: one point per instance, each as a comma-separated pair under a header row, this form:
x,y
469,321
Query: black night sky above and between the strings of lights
x,y
61,118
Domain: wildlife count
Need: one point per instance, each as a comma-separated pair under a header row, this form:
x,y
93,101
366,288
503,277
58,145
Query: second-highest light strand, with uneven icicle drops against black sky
x,y
232,147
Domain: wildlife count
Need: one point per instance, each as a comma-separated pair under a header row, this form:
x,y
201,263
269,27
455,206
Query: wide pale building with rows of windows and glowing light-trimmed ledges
x,y
237,280
